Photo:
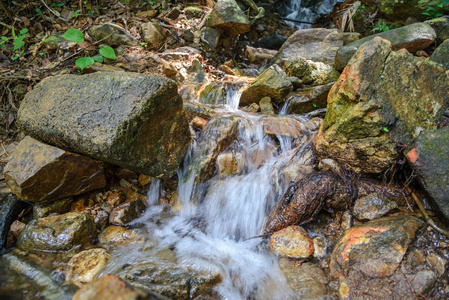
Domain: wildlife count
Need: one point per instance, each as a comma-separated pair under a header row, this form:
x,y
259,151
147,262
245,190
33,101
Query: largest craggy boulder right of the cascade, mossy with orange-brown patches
x,y
368,114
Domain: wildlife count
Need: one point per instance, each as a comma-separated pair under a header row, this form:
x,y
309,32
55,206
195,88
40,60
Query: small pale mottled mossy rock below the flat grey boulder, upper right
x,y
314,73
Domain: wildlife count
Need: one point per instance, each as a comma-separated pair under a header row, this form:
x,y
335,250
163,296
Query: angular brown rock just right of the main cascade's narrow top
x,y
271,83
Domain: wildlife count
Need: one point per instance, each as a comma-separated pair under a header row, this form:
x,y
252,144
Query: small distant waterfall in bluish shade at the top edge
x,y
304,10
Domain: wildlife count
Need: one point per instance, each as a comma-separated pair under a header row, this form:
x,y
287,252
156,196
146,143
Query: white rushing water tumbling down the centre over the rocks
x,y
230,210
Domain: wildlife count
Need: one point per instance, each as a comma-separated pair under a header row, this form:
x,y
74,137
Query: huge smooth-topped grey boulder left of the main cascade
x,y
135,121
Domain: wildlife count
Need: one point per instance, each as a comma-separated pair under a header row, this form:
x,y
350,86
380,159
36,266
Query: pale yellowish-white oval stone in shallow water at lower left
x,y
86,265
